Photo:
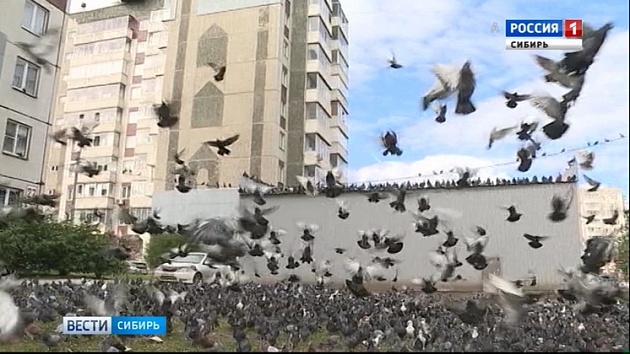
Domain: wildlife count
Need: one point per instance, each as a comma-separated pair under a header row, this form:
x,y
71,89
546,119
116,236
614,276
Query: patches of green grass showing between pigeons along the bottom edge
x,y
174,342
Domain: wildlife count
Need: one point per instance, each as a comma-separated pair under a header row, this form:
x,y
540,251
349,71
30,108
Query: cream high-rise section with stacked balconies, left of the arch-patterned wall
x,y
112,74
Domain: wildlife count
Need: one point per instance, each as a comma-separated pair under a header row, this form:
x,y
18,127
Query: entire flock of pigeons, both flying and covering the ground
x,y
357,319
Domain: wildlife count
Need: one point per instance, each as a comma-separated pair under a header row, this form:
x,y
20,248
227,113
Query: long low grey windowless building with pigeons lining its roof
x,y
507,251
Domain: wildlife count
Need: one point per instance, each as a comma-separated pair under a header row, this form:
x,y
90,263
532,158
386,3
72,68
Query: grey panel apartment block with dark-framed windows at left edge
x,y
27,88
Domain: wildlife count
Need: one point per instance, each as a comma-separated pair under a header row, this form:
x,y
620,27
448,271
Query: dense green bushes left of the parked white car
x,y
55,247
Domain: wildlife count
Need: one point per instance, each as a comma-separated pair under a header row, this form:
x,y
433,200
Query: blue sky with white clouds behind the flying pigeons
x,y
424,33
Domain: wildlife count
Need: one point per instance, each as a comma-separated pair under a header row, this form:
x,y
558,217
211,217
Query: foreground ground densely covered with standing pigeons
x,y
298,317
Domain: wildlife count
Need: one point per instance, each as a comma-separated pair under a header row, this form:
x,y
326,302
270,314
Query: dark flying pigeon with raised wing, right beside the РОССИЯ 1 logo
x,y
579,62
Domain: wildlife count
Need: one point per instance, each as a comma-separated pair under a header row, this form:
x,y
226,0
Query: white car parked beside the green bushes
x,y
194,268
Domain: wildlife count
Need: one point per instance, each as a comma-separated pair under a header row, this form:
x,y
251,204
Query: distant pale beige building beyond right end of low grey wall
x,y
602,203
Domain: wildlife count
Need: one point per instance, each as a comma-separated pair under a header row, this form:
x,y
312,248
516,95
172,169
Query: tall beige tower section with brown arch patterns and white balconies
x,y
285,89
